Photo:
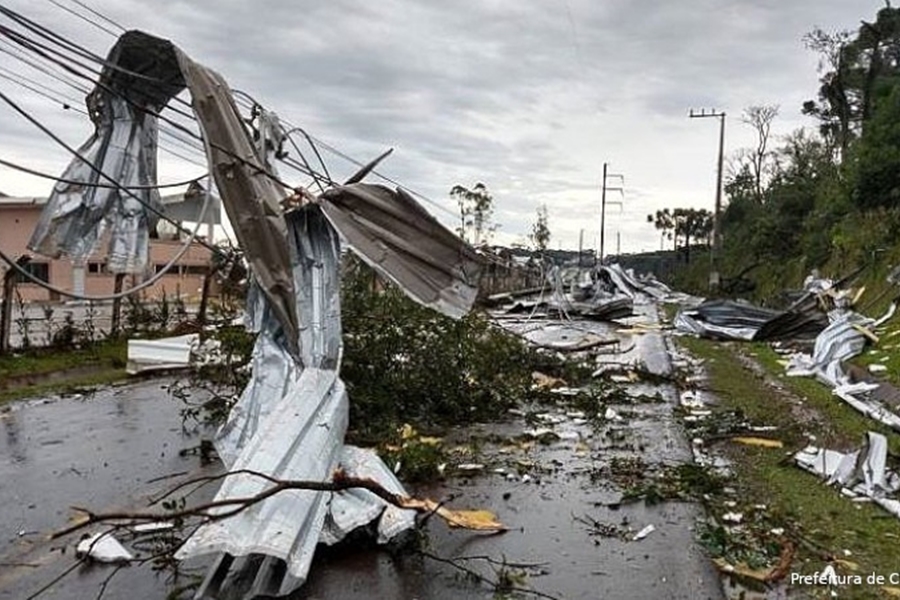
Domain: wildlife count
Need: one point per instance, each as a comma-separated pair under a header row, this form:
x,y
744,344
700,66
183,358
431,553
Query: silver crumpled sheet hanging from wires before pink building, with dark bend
x,y
123,149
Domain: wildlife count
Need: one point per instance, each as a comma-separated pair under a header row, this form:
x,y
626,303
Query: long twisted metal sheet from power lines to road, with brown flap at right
x,y
290,420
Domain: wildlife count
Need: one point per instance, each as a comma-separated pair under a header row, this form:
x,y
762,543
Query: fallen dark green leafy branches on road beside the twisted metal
x,y
405,363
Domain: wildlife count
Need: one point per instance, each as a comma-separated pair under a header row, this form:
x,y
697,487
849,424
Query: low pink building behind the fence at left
x,y
18,217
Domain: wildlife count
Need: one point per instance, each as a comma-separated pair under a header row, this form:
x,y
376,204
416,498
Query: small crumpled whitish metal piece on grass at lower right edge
x,y
862,473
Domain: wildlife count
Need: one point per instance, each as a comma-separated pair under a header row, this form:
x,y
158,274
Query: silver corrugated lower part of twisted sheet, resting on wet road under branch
x,y
290,423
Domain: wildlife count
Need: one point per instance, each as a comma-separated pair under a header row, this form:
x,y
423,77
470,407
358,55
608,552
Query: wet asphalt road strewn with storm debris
x,y
101,451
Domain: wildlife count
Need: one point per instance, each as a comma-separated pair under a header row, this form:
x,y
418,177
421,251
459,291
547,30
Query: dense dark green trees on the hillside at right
x,y
832,199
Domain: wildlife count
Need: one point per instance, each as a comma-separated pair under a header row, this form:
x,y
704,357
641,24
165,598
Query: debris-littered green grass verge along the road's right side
x,y
823,525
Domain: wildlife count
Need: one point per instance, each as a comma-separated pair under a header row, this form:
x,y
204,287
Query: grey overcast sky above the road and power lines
x,y
530,97
